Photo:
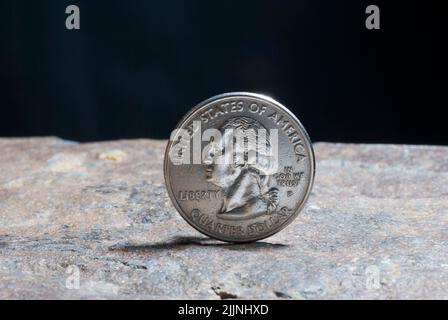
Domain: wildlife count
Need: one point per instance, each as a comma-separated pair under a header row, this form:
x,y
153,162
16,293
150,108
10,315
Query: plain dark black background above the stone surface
x,y
136,67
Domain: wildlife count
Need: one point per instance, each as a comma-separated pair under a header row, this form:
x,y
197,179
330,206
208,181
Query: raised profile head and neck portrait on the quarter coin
x,y
246,177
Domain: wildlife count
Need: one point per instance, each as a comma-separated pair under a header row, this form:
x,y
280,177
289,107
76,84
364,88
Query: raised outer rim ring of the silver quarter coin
x,y
218,97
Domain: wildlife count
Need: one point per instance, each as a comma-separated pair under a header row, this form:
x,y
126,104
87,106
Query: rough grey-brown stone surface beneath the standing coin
x,y
376,226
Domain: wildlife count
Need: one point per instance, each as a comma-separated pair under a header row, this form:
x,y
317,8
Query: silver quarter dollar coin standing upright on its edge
x,y
239,167
